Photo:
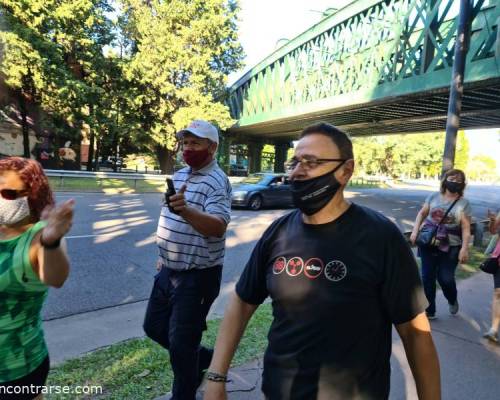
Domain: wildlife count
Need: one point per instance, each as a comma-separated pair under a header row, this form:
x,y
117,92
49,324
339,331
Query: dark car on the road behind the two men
x,y
262,190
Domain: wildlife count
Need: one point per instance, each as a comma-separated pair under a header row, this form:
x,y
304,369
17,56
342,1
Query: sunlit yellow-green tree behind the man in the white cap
x,y
180,55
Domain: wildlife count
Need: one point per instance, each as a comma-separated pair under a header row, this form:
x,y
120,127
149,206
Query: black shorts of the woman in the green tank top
x,y
37,378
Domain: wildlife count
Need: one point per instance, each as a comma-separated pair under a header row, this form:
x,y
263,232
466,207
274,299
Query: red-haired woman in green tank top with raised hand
x,y
32,258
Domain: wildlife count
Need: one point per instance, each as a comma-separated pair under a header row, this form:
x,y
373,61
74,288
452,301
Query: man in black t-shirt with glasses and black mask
x,y
339,276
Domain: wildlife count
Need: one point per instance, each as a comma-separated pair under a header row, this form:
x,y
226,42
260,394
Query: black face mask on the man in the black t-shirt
x,y
312,195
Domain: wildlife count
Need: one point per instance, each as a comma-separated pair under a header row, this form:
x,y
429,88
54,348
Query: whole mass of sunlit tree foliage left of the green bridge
x,y
138,78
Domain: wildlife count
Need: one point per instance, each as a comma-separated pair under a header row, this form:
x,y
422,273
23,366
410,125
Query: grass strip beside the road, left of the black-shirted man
x,y
139,368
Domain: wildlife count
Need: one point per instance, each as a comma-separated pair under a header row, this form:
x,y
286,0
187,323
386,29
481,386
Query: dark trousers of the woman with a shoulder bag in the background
x,y
440,265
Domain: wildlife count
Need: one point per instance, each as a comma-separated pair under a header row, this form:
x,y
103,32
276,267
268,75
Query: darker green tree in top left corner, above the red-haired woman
x,y
52,58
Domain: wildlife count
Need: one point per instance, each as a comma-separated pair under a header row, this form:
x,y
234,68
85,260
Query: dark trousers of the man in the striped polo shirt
x,y
176,318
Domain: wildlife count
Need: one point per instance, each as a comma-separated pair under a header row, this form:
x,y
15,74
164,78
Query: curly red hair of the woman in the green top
x,y
36,182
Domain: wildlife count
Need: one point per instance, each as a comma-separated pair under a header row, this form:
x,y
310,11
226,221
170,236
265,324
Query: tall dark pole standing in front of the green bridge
x,y
457,84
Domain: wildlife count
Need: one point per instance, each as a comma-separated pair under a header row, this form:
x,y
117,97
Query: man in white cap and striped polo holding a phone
x,y
191,241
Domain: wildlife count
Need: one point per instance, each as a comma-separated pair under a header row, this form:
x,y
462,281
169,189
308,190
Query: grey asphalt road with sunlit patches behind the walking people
x,y
113,253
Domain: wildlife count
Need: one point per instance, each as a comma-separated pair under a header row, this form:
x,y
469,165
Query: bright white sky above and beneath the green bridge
x,y
263,23
